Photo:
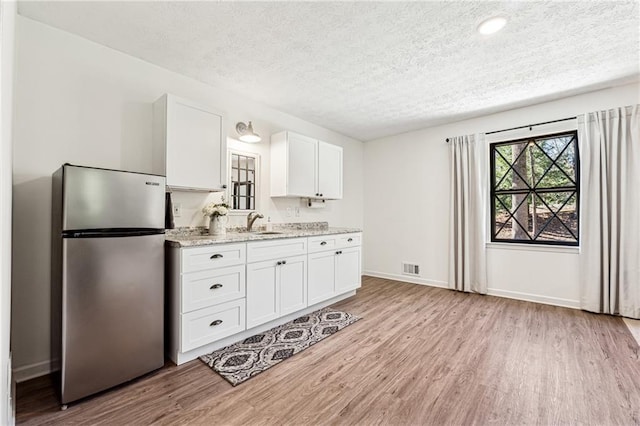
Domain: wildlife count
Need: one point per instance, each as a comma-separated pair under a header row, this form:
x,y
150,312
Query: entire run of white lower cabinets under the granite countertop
x,y
218,291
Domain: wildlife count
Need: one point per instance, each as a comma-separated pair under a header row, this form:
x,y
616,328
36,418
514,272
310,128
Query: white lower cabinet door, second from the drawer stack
x,y
293,285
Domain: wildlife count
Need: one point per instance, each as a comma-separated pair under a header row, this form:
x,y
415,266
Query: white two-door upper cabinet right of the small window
x,y
305,167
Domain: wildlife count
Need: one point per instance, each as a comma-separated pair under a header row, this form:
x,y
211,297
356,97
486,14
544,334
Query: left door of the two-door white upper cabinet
x,y
301,163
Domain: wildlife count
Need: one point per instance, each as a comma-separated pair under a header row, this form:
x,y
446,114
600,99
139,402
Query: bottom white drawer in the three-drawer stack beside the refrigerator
x,y
210,324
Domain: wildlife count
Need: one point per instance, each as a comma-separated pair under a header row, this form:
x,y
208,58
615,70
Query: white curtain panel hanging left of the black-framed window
x,y
468,228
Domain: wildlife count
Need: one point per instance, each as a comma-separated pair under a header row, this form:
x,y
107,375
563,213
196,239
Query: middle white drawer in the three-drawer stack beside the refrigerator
x,y
210,287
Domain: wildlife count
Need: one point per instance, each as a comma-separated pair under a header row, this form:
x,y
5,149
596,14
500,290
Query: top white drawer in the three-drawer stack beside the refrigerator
x,y
199,258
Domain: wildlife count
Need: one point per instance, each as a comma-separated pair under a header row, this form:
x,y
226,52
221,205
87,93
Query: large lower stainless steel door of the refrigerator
x,y
112,312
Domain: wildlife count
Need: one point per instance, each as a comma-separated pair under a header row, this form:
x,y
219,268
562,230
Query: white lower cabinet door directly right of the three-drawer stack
x,y
263,296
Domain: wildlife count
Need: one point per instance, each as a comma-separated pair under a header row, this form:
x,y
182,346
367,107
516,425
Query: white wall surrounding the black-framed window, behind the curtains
x,y
407,206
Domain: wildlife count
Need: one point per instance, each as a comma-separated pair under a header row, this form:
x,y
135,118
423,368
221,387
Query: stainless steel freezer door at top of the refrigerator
x,y
101,199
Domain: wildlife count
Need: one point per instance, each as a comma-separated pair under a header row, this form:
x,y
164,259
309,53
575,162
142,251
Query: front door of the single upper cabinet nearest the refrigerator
x,y
195,145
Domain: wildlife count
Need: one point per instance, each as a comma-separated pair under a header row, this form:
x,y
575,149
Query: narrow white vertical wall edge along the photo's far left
x,y
7,37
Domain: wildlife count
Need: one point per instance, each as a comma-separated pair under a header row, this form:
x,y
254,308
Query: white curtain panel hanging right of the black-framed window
x,y
610,211
